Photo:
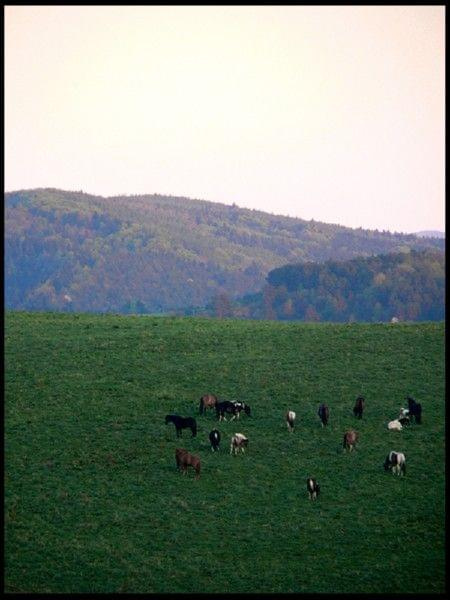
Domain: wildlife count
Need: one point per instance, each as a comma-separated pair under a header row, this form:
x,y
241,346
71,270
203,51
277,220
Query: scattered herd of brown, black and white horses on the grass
x,y
395,461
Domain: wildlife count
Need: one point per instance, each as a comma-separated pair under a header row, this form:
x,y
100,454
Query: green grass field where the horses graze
x,y
93,500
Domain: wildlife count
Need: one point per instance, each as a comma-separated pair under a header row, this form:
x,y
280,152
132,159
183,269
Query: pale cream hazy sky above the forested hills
x,y
328,113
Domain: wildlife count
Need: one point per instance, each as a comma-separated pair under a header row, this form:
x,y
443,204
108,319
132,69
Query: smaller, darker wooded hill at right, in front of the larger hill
x,y
407,285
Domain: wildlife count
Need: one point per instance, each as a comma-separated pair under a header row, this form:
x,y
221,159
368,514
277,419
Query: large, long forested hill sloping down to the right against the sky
x,y
75,251
